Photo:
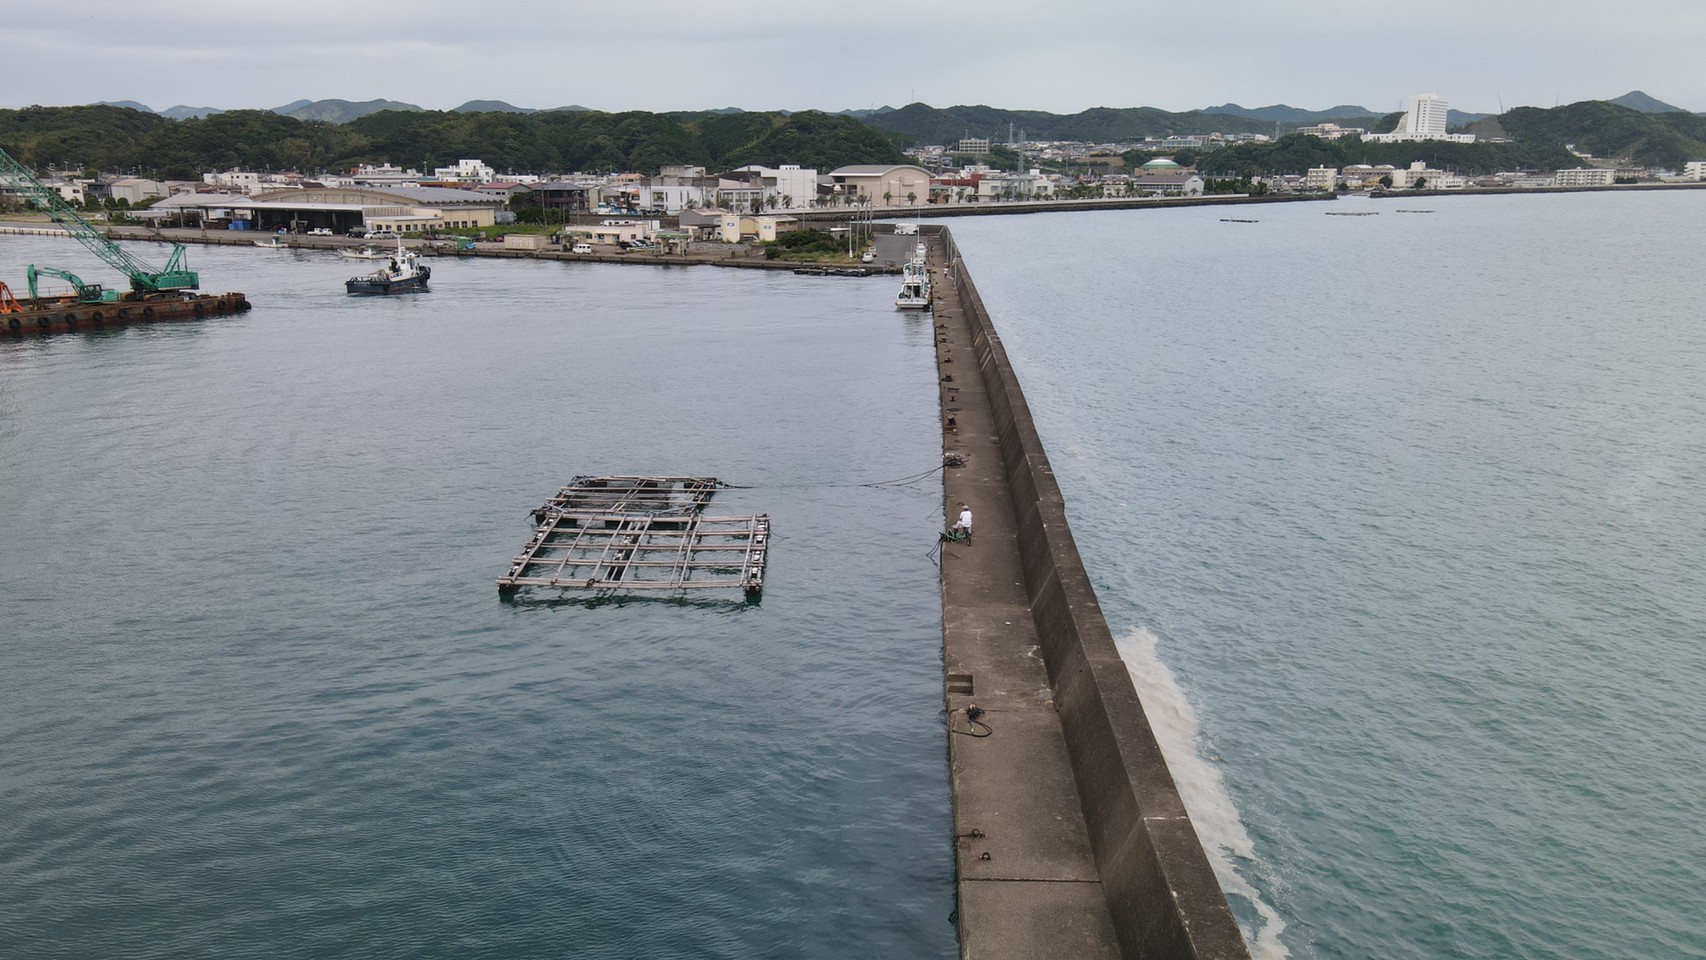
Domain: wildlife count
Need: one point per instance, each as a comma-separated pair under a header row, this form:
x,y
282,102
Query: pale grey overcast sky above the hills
x,y
663,55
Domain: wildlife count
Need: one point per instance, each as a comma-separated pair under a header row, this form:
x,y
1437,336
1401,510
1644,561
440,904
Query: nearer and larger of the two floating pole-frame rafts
x,y
629,552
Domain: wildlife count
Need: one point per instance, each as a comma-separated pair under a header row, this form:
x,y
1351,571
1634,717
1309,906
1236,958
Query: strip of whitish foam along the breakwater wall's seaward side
x,y
1202,787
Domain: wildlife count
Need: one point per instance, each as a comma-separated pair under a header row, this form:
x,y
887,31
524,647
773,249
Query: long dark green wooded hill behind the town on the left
x,y
124,141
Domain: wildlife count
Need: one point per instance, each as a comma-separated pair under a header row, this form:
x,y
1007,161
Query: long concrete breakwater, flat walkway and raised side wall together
x,y
1071,836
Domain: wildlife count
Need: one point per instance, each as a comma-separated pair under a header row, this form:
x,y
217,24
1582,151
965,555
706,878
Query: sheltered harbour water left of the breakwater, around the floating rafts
x,y
260,698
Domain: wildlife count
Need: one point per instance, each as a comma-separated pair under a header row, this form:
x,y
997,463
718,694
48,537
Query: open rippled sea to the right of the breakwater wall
x,y
1403,524
